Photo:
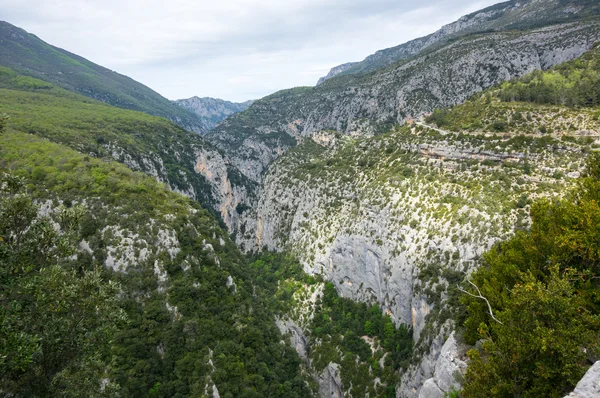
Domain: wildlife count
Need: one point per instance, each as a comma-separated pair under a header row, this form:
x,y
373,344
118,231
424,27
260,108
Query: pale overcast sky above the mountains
x,y
230,49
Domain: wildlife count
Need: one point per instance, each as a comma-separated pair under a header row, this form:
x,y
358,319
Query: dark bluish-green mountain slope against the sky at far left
x,y
30,56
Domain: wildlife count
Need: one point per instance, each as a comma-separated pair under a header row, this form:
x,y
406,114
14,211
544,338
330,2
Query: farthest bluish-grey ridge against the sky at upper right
x,y
510,15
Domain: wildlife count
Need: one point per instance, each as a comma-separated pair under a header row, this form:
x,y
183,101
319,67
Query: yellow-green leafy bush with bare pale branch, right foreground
x,y
542,286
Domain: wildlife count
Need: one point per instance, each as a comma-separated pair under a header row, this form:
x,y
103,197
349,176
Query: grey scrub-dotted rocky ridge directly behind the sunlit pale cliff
x,y
365,105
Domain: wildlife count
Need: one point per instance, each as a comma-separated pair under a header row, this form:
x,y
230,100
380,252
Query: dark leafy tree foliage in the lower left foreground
x,y
57,321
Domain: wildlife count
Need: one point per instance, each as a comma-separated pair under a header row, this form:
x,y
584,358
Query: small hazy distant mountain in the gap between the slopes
x,y
212,111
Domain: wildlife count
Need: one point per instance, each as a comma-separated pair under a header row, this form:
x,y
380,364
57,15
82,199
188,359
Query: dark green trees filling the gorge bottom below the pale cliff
x,y
358,337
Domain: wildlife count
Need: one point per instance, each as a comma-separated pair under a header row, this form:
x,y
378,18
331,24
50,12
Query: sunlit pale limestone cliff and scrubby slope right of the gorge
x,y
400,218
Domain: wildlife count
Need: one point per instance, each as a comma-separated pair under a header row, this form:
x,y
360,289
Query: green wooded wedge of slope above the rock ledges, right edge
x,y
563,100
